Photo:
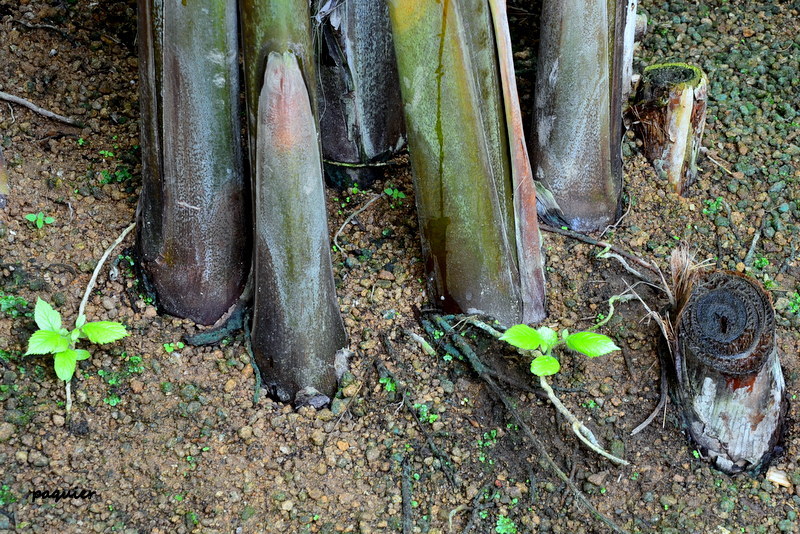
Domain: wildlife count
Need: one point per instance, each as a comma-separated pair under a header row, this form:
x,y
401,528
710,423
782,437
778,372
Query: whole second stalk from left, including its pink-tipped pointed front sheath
x,y
297,327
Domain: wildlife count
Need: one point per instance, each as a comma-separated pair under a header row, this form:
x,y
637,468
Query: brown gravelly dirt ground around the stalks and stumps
x,y
169,438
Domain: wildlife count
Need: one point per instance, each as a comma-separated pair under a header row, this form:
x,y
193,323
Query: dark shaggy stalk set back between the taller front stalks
x,y
360,111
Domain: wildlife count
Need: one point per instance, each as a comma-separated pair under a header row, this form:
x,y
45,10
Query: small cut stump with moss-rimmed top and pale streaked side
x,y
669,116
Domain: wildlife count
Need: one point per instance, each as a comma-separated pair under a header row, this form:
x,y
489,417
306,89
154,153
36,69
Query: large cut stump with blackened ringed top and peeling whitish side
x,y
728,382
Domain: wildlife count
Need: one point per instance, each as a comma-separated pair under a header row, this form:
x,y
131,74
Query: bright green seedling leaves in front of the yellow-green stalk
x,y
543,340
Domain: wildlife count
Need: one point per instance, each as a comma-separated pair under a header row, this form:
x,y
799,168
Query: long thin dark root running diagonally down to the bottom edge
x,y
480,368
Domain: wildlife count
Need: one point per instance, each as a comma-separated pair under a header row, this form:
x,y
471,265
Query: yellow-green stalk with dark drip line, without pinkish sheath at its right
x,y
459,152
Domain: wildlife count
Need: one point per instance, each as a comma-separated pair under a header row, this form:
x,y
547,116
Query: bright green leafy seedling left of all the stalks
x,y
51,338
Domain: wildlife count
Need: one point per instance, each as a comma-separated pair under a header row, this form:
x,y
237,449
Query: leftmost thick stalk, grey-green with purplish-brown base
x,y
192,214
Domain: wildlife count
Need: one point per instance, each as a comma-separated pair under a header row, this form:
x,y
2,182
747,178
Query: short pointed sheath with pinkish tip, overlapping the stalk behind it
x,y
297,328
